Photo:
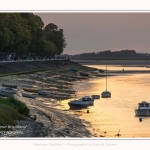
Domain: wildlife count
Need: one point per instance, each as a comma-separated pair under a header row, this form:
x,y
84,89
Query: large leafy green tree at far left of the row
x,y
14,33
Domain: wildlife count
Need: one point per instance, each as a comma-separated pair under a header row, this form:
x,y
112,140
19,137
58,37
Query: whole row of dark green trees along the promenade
x,y
24,33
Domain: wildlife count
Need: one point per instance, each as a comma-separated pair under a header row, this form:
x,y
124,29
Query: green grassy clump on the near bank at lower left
x,y
12,109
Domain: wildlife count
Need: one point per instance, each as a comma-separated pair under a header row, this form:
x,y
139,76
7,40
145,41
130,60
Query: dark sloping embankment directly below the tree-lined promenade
x,y
27,66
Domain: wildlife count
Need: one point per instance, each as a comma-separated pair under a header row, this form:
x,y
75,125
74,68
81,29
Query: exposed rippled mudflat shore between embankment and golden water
x,y
50,121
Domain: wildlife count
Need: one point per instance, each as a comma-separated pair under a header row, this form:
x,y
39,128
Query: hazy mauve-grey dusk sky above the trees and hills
x,y
86,32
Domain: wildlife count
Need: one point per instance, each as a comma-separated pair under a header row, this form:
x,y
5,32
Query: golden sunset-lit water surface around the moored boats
x,y
109,115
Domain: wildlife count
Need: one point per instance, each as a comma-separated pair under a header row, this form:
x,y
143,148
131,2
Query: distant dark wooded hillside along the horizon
x,y
115,54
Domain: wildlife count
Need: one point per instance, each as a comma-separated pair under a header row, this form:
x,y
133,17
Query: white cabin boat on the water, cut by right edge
x,y
143,109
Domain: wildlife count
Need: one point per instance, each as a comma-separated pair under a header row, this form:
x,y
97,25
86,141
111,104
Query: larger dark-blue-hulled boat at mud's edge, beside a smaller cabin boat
x,y
78,104
